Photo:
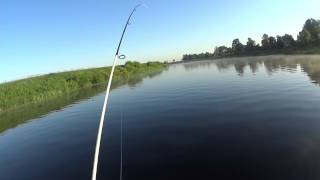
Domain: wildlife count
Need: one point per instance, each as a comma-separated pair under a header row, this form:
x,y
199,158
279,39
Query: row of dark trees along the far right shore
x,y
307,42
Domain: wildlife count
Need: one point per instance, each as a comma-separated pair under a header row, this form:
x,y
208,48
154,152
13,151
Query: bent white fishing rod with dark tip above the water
x,y
117,56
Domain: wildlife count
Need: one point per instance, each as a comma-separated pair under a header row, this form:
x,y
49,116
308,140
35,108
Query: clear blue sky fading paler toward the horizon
x,y
39,37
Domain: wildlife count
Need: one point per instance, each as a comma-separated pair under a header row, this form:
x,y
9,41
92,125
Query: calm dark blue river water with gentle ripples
x,y
245,118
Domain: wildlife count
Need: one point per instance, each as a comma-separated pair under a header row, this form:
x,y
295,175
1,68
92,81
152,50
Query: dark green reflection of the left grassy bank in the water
x,y
13,117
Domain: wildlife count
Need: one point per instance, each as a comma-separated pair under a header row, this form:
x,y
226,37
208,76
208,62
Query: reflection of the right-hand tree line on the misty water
x,y
310,64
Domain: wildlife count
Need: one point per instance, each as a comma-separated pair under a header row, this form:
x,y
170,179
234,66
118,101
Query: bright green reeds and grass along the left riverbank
x,y
45,87
